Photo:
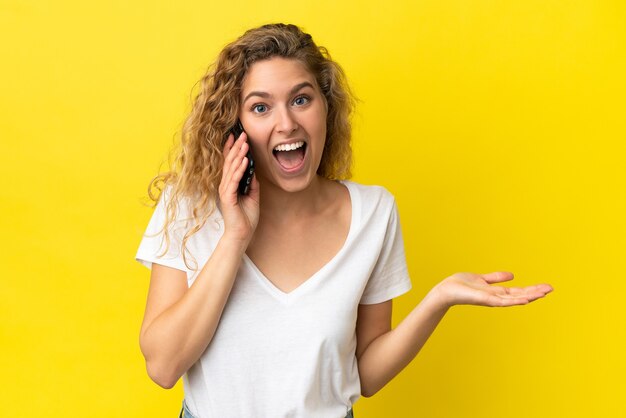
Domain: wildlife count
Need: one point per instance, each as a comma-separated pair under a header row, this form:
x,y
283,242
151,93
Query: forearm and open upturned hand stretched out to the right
x,y
392,351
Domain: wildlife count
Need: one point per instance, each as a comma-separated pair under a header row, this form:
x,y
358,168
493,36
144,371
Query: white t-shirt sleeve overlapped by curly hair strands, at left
x,y
153,247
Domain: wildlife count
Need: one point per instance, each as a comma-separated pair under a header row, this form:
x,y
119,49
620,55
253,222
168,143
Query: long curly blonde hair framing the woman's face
x,y
196,169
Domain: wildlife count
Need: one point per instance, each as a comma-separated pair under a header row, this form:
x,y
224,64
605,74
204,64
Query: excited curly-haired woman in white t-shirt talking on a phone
x,y
277,303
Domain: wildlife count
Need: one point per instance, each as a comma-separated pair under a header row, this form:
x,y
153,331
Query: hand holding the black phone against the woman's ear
x,y
240,212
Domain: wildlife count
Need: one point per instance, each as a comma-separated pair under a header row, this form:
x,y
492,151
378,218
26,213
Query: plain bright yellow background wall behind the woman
x,y
498,125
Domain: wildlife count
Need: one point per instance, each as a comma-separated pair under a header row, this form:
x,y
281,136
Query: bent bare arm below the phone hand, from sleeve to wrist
x,y
179,323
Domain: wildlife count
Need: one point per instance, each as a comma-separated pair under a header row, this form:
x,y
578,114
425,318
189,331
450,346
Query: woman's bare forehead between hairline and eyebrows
x,y
275,74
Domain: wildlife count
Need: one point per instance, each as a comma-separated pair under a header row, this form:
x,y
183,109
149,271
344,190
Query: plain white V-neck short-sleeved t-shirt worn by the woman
x,y
279,355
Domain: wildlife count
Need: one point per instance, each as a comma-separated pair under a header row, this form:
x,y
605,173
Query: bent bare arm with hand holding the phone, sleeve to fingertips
x,y
179,322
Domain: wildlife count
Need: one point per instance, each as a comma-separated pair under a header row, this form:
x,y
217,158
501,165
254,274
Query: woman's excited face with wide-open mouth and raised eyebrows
x,y
284,113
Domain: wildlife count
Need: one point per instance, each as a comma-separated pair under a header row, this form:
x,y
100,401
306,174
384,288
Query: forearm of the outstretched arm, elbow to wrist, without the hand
x,y
388,354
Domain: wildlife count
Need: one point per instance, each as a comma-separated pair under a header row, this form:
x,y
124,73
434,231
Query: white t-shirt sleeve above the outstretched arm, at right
x,y
390,277
